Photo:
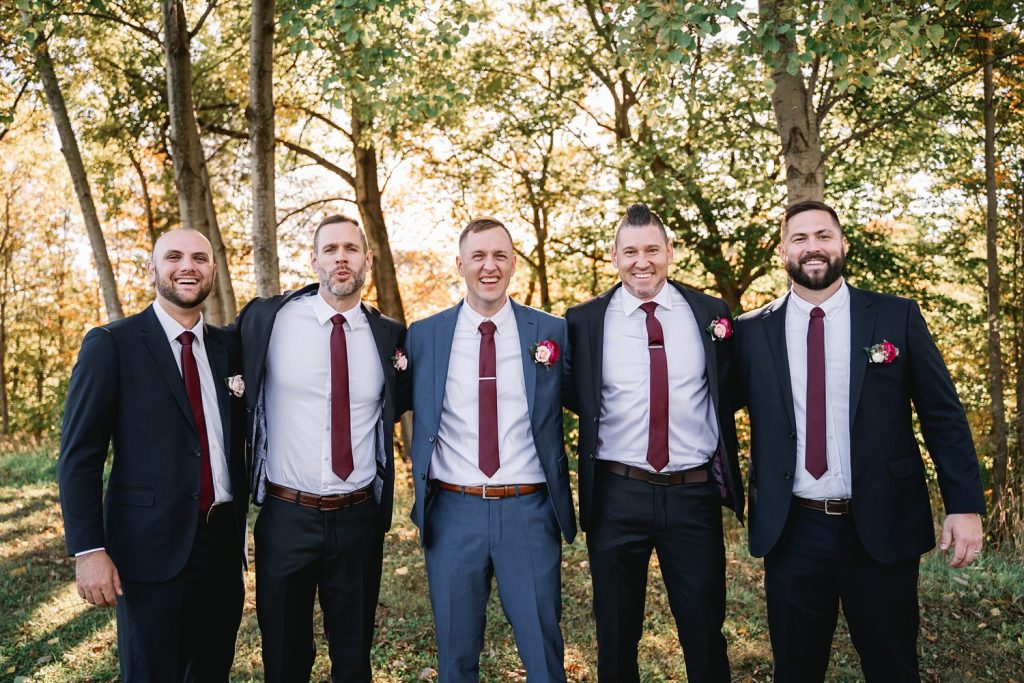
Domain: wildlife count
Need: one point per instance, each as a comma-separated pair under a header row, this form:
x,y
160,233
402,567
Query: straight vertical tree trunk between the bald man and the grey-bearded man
x,y
262,149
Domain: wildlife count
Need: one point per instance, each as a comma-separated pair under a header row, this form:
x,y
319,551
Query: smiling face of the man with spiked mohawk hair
x,y
643,257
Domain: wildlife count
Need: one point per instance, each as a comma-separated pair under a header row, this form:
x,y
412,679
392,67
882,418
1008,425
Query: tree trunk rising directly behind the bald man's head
x,y
194,201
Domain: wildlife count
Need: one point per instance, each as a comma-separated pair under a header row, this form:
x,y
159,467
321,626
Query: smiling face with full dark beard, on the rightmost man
x,y
814,250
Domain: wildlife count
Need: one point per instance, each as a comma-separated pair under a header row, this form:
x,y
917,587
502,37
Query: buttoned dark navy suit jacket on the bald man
x,y
126,390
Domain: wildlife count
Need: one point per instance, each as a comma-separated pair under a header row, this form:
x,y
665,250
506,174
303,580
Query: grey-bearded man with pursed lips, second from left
x,y
324,372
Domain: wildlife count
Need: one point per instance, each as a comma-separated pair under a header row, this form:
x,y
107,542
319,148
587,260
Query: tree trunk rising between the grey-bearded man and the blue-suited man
x,y
368,199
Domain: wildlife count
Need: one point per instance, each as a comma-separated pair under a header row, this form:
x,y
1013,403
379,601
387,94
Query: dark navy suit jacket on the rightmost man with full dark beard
x,y
890,493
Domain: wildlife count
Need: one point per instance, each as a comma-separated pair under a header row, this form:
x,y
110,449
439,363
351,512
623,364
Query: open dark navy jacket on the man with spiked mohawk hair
x,y
586,324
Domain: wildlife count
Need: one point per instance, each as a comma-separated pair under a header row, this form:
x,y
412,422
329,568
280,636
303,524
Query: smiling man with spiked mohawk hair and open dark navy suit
x,y
652,361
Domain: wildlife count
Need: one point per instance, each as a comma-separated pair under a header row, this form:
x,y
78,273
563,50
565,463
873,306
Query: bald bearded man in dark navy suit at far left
x,y
165,545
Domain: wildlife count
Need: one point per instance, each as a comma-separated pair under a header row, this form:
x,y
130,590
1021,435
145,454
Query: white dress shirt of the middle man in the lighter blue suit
x,y
456,458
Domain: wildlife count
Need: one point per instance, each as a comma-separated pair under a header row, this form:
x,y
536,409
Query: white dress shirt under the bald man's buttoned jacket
x,y
211,407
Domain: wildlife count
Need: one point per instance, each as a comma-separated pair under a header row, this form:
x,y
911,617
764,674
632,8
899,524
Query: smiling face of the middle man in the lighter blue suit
x,y
487,262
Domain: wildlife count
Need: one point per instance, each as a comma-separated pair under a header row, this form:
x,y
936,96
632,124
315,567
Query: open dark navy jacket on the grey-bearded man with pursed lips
x,y
255,325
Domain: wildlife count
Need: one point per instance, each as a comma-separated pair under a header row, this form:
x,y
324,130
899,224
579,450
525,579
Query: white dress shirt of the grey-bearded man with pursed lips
x,y
297,390
